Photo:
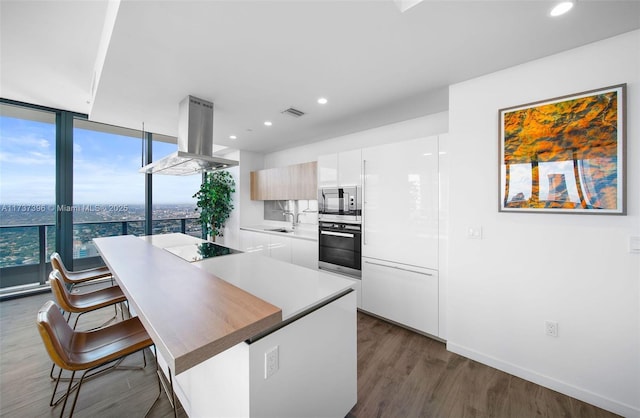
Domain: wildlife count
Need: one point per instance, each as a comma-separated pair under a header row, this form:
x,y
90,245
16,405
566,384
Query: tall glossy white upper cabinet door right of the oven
x,y
401,186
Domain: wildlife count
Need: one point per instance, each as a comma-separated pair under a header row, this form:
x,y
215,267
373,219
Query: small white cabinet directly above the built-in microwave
x,y
340,170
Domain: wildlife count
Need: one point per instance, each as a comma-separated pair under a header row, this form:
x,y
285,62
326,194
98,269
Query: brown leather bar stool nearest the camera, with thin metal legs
x,y
90,352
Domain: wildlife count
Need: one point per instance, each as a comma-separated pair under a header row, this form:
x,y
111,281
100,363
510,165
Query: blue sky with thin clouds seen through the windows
x,y
105,167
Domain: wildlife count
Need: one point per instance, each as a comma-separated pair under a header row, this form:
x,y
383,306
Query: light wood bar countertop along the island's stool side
x,y
190,314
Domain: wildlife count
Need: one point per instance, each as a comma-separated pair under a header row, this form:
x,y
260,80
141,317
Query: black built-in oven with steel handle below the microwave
x,y
340,248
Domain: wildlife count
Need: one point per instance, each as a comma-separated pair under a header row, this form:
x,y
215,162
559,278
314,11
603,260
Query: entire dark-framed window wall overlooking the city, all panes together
x,y
65,180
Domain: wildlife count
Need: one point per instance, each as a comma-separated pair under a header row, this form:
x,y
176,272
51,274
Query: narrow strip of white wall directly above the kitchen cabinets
x,y
410,129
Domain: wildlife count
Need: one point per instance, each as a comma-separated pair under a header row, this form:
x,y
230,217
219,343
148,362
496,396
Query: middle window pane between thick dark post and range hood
x,y
108,190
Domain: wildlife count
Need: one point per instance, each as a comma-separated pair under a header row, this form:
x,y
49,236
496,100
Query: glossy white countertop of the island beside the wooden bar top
x,y
292,288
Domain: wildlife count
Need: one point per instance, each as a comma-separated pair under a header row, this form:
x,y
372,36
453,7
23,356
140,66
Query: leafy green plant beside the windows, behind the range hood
x,y
215,202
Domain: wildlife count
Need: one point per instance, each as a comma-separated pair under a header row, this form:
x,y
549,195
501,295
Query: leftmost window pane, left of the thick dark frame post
x,y
27,193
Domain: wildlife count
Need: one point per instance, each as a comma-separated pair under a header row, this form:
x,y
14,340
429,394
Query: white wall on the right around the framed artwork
x,y
528,268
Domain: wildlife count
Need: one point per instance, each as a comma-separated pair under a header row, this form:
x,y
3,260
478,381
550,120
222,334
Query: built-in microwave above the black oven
x,y
342,204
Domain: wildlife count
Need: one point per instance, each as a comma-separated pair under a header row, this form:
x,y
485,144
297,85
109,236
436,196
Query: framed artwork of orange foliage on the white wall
x,y
565,155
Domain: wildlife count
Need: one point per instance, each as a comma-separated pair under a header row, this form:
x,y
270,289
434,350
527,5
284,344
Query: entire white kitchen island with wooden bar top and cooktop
x,y
241,334
